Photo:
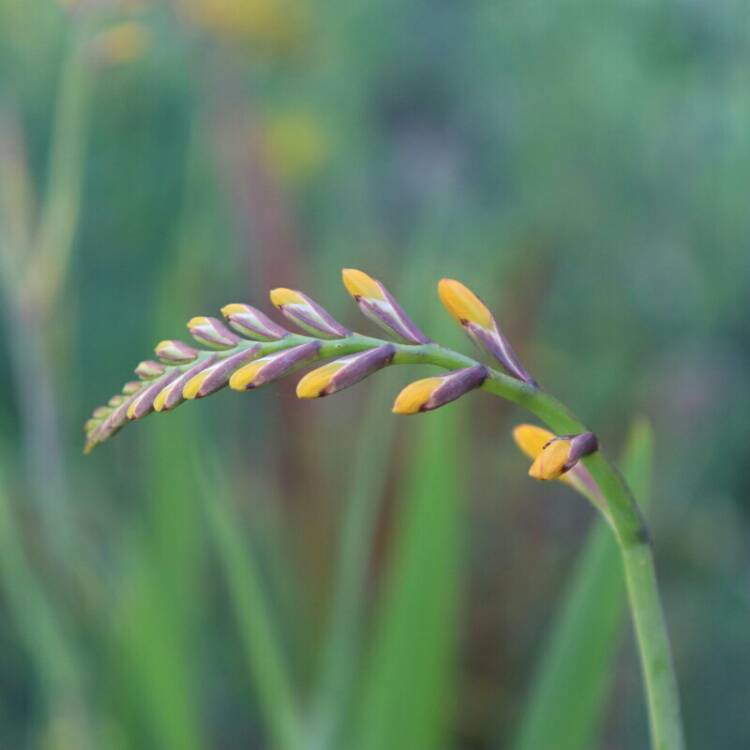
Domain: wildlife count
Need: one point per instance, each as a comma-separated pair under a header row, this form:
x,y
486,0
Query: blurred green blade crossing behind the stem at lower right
x,y
569,691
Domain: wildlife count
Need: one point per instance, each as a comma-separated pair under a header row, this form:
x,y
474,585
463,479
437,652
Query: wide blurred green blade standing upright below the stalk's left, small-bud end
x,y
156,622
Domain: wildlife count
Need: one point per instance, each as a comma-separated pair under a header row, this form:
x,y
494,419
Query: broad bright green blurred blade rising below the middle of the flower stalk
x,y
411,665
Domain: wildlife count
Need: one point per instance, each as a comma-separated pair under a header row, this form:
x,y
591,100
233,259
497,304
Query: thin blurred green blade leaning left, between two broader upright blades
x,y
262,650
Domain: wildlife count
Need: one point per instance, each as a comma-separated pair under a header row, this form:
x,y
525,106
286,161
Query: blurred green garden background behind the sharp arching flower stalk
x,y
208,574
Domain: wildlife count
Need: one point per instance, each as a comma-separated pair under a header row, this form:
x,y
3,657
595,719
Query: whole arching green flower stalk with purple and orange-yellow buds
x,y
252,351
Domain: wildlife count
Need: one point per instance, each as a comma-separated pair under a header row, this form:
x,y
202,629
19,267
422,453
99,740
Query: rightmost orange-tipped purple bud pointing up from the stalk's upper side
x,y
480,325
